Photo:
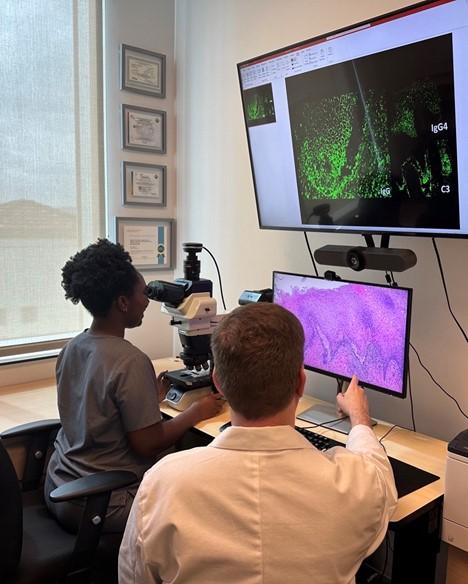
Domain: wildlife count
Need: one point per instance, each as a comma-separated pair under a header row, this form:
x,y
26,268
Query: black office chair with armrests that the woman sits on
x,y
34,548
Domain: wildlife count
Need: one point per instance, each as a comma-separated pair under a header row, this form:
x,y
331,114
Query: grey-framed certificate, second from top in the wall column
x,y
143,129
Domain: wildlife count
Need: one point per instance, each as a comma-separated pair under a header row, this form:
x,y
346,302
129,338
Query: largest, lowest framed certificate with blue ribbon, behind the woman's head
x,y
150,242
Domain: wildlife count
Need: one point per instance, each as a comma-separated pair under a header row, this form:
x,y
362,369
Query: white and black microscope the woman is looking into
x,y
190,304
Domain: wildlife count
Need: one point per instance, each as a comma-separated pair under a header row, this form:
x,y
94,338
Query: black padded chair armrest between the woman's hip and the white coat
x,y
94,484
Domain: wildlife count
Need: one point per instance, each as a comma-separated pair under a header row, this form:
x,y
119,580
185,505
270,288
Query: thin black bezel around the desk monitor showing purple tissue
x,y
403,393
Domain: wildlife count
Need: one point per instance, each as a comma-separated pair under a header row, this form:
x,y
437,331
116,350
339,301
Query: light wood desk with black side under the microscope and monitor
x,y
414,526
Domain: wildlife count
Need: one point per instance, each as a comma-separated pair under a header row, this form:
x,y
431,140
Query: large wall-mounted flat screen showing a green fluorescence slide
x,y
364,129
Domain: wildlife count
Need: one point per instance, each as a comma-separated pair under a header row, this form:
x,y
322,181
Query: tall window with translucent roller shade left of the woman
x,y
51,191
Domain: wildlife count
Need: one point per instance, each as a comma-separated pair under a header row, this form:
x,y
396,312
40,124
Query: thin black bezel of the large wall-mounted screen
x,y
417,6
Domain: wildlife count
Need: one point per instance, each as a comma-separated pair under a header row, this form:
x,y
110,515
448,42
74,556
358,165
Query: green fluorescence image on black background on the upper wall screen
x,y
374,139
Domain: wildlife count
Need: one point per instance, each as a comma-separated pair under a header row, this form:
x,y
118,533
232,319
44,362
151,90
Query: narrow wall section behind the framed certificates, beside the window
x,y
148,24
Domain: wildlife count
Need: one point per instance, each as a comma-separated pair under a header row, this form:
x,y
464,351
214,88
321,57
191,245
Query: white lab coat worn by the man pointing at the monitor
x,y
260,506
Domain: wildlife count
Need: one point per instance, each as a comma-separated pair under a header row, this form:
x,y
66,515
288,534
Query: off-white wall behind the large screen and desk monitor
x,y
216,200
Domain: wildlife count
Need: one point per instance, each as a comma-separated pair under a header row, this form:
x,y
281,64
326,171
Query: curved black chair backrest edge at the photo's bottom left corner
x,y
11,514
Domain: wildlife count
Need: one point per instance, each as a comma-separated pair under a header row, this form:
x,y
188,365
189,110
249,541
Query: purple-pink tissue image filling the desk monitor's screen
x,y
350,328
